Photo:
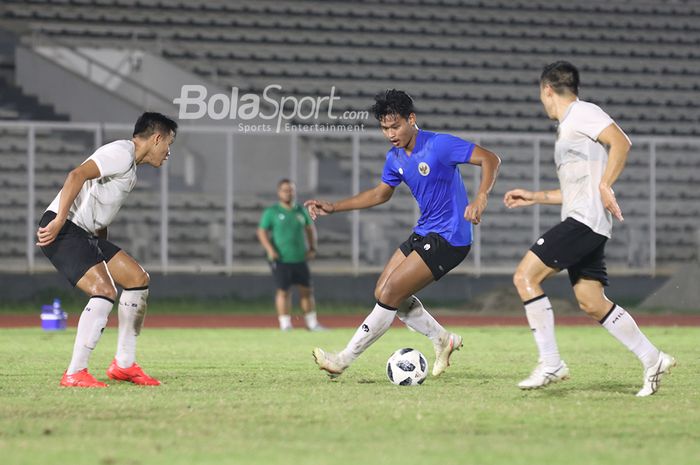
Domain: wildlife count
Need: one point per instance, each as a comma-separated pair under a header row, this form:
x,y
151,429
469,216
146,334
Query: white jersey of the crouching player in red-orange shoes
x,y
100,199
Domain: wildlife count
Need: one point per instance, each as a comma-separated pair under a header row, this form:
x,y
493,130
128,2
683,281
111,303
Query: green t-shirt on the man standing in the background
x,y
288,231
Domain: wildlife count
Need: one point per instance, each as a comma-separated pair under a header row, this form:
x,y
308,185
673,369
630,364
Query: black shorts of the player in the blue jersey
x,y
436,252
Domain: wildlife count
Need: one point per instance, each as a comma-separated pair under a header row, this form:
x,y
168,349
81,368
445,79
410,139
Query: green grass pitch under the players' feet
x,y
255,397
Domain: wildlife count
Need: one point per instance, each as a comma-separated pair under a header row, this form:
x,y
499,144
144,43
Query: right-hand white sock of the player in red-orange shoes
x,y
132,311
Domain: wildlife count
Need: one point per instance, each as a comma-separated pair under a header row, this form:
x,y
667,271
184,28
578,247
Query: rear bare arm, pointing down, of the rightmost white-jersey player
x,y
620,145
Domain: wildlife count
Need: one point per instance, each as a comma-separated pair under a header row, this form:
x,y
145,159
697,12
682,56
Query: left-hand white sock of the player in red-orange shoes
x,y
90,326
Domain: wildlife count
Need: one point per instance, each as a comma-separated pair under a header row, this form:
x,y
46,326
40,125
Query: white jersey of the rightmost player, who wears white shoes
x,y
581,162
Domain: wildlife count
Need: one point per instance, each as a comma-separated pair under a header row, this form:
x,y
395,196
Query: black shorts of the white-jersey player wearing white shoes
x,y
574,246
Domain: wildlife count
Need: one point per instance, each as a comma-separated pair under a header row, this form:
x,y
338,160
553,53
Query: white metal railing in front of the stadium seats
x,y
230,262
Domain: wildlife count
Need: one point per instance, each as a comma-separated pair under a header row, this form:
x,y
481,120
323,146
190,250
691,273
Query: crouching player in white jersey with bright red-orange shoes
x,y
73,235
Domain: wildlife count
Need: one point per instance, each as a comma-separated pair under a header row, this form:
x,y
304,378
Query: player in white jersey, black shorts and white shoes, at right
x,y
587,172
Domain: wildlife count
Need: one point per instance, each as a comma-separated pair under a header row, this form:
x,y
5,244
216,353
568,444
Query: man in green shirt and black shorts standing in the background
x,y
284,231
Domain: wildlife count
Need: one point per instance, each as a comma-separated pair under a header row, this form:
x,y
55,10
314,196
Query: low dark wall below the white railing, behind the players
x,y
452,289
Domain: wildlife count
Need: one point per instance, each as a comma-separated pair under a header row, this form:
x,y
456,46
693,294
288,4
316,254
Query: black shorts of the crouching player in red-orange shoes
x,y
75,250
